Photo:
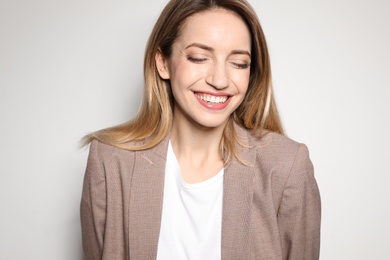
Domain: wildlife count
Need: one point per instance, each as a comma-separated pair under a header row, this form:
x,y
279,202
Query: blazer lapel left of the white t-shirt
x,y
146,197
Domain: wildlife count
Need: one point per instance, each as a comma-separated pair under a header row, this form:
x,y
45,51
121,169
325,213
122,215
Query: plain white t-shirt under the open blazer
x,y
191,217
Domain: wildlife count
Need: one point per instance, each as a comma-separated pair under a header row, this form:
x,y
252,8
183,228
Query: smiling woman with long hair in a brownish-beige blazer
x,y
204,170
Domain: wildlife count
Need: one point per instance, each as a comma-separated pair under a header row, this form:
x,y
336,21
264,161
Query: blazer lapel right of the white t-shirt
x,y
238,193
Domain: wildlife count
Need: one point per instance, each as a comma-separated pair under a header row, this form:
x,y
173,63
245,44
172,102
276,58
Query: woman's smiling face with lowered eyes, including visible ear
x,y
209,68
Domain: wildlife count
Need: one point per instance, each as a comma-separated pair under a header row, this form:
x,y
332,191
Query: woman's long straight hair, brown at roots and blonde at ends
x,y
257,112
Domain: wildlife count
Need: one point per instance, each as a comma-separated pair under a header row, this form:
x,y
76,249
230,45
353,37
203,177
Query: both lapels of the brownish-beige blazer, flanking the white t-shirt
x,y
146,198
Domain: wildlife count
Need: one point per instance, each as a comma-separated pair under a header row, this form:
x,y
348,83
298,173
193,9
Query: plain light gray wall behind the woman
x,y
69,67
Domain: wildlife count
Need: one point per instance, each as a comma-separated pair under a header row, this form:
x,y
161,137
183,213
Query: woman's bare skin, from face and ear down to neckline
x,y
209,73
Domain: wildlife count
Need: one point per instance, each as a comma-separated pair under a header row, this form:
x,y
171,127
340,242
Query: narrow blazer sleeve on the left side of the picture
x,y
93,205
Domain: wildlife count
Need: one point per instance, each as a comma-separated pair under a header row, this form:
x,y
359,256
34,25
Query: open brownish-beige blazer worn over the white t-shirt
x,y
271,209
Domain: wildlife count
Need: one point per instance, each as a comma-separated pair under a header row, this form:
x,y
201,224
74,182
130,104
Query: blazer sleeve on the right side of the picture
x,y
299,214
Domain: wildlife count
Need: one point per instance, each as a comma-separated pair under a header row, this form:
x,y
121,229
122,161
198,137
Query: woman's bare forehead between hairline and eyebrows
x,y
216,27
